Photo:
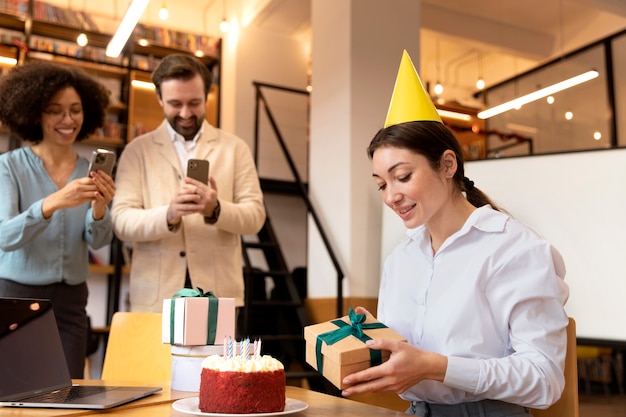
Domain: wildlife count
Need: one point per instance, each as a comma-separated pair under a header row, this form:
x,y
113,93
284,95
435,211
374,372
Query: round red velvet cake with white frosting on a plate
x,y
237,386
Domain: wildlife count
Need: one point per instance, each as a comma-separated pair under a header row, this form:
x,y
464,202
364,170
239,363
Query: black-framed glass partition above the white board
x,y
579,118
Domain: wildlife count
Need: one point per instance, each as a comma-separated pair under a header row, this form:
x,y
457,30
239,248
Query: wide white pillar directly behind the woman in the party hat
x,y
356,53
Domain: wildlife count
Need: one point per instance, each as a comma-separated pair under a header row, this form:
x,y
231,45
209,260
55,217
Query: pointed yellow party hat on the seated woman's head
x,y
410,102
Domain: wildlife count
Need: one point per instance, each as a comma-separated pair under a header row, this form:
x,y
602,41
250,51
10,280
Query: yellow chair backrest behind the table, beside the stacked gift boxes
x,y
134,352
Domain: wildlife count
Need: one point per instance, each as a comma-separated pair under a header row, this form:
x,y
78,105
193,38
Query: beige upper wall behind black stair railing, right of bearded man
x,y
278,60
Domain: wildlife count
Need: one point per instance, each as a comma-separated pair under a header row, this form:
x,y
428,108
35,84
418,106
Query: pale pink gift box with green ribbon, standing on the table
x,y
194,318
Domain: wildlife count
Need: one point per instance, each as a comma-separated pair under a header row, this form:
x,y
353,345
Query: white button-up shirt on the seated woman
x,y
491,300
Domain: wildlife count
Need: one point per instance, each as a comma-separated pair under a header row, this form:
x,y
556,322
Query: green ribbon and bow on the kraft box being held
x,y
354,328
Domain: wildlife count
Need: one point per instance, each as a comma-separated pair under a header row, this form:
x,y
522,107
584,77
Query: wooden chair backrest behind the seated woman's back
x,y
567,405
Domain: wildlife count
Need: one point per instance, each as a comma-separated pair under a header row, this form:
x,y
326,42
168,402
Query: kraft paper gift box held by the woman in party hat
x,y
349,354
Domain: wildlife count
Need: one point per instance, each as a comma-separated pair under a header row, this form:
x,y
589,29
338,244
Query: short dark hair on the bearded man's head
x,y
182,67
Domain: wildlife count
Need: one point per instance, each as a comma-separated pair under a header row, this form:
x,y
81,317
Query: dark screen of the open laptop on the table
x,y
31,354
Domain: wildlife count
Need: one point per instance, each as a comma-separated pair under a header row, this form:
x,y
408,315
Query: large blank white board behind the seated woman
x,y
578,202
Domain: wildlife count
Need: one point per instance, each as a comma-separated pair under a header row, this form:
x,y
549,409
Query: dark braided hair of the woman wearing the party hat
x,y
430,139
